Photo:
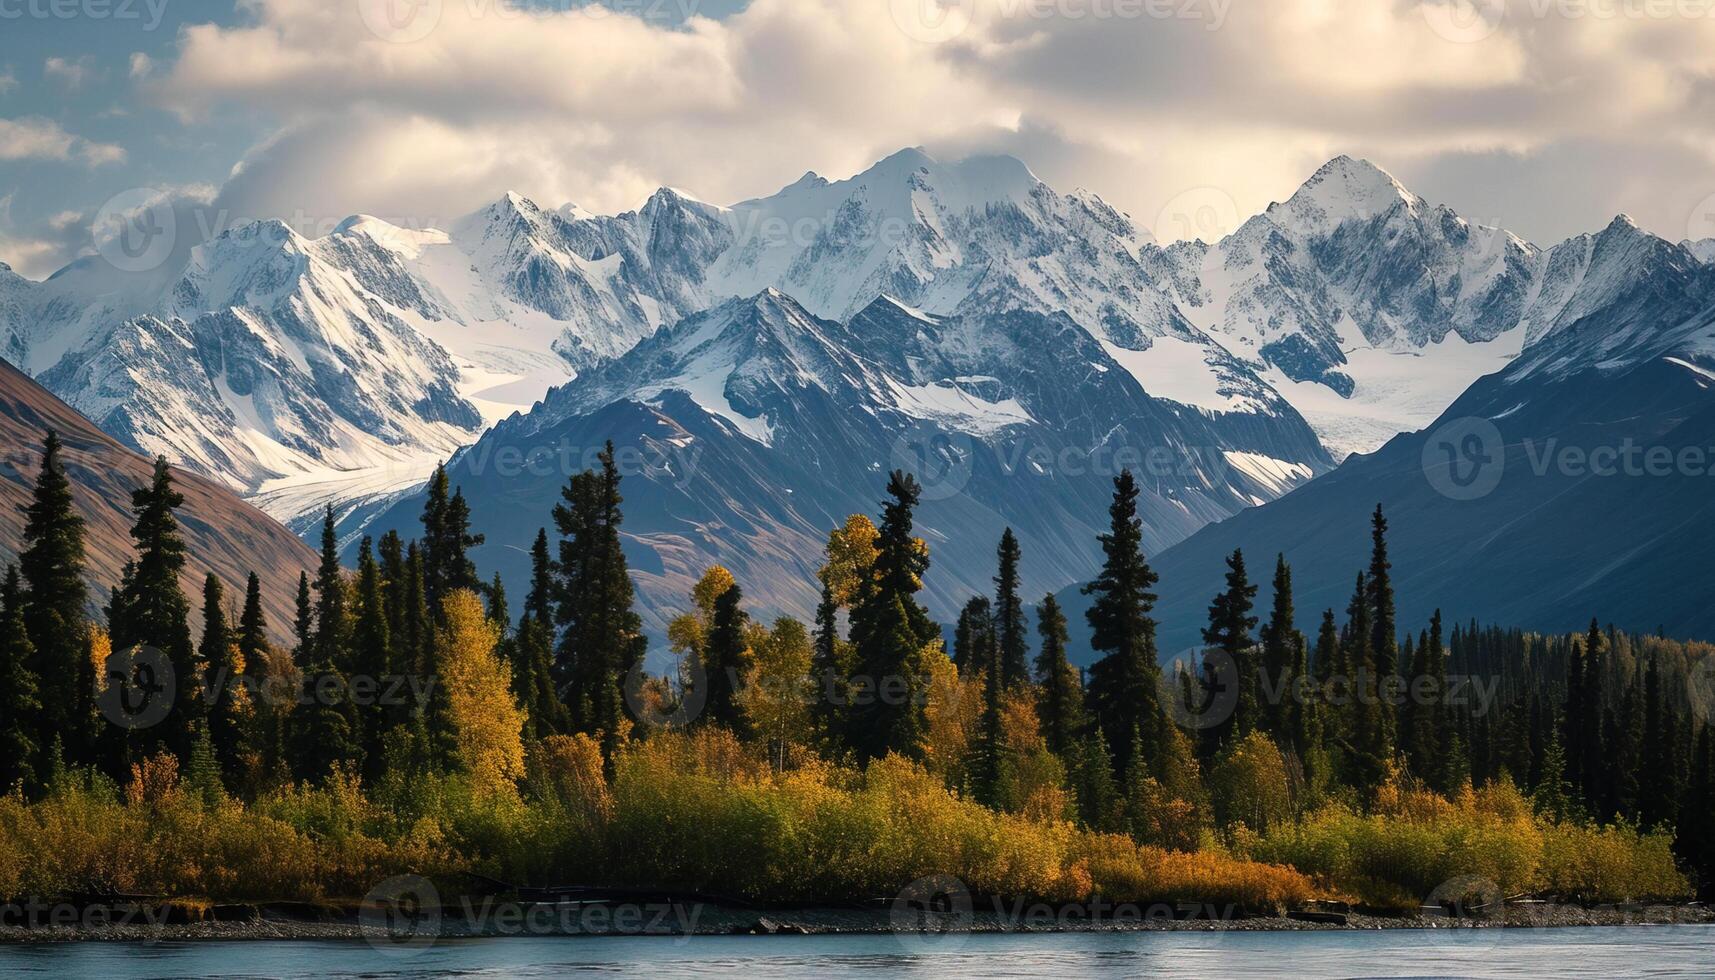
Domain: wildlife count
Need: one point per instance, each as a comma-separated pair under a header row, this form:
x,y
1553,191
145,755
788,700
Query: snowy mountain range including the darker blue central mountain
x,y
766,363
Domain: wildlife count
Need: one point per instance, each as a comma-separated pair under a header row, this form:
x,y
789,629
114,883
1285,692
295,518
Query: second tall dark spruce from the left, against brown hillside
x,y
159,614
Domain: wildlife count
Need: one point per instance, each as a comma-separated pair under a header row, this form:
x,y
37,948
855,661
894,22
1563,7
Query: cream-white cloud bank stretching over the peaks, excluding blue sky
x,y
1248,99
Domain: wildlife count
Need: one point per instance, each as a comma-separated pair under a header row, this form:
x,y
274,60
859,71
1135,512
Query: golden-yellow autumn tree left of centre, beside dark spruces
x,y
479,696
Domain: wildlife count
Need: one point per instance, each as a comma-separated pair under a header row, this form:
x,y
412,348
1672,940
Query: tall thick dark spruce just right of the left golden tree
x,y
603,636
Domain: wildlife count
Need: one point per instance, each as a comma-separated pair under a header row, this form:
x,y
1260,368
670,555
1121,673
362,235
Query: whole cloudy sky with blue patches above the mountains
x,y
1543,116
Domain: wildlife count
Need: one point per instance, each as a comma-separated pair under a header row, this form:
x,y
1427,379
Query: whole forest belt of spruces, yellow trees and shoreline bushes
x,y
418,725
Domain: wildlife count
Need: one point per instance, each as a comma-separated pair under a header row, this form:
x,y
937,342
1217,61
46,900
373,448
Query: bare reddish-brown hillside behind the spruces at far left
x,y
224,535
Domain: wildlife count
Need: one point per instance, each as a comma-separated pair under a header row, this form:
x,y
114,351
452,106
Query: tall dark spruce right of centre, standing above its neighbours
x,y
1124,684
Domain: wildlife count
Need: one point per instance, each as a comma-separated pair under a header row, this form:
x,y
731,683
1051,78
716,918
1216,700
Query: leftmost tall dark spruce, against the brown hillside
x,y
52,566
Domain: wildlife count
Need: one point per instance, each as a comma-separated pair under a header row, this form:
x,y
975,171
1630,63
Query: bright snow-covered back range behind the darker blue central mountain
x,y
340,370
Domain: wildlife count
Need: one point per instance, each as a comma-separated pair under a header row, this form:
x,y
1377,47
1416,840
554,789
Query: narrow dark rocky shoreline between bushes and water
x,y
490,919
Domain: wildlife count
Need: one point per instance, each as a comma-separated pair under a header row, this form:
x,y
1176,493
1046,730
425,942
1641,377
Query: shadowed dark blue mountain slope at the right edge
x,y
1579,521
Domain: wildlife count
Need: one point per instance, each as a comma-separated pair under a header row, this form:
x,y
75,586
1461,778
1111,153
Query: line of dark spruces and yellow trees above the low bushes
x,y
1268,723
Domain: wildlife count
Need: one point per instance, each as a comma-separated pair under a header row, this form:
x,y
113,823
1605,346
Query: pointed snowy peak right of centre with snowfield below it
x,y
1363,305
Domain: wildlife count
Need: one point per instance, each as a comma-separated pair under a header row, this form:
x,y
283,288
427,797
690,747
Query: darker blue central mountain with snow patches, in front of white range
x,y
757,426
